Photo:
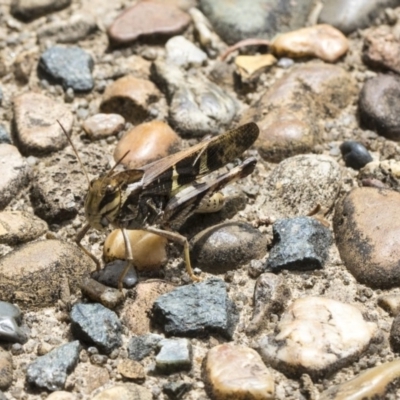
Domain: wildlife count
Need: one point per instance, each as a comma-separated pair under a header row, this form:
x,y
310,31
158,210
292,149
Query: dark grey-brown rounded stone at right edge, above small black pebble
x,y
378,106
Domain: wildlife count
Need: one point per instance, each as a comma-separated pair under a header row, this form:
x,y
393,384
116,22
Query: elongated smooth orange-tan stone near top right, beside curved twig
x,y
322,41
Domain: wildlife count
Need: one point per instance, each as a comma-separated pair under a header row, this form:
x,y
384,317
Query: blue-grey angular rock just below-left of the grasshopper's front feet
x,y
96,325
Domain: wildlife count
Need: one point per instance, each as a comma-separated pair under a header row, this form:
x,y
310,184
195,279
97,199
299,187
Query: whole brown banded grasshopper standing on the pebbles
x,y
164,193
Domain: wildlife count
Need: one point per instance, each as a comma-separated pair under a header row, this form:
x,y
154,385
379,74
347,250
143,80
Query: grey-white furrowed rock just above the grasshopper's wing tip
x,y
198,107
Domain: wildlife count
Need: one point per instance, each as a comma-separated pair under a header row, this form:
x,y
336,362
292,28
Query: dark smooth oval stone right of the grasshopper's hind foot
x,y
227,246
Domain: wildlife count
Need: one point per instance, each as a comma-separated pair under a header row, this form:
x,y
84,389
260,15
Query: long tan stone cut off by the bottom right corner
x,y
371,384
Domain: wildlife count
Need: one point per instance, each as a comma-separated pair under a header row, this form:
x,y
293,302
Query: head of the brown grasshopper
x,y
103,202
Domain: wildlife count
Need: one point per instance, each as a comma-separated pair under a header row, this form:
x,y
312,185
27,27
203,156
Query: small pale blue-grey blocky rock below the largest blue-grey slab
x,y
175,355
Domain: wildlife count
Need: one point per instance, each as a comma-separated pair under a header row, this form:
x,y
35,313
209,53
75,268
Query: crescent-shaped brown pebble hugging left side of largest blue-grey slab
x,y
136,313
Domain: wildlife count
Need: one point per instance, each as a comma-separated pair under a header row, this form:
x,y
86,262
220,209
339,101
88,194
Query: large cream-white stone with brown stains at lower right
x,y
308,331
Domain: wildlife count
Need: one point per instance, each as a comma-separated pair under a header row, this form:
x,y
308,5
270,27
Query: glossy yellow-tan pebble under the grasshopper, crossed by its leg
x,y
148,249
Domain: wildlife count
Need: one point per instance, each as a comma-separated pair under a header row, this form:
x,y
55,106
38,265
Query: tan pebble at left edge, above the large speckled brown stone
x,y
17,227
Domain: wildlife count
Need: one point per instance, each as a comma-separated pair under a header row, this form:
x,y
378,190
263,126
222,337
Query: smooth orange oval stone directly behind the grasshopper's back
x,y
146,143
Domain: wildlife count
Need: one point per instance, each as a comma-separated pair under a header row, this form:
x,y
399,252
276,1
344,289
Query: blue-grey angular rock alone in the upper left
x,y
70,66
